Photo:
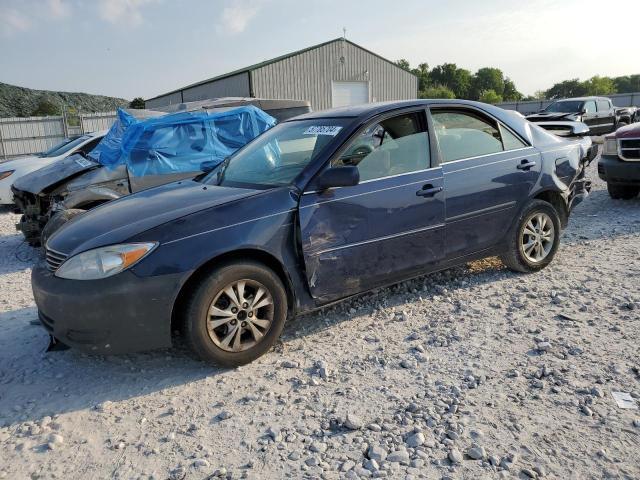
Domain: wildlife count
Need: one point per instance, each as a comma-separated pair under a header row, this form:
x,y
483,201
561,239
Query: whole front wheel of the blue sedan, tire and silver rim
x,y
235,314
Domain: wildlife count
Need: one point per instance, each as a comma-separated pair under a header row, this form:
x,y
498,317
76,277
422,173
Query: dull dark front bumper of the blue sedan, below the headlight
x,y
120,314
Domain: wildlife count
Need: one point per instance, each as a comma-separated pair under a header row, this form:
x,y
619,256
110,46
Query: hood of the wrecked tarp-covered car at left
x,y
54,173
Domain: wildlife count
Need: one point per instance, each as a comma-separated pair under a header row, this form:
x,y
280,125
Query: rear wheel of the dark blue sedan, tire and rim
x,y
534,239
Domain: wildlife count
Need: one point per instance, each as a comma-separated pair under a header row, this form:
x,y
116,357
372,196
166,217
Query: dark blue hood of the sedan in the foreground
x,y
118,221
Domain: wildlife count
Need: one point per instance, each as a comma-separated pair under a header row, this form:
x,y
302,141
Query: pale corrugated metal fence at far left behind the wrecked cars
x,y
31,135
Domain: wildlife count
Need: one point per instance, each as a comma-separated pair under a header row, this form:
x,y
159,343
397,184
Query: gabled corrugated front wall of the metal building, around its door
x,y
308,75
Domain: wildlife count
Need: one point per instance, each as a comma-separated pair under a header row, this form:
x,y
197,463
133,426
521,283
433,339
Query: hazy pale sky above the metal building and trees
x,y
132,48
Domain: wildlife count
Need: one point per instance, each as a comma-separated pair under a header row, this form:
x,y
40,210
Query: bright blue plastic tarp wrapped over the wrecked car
x,y
180,142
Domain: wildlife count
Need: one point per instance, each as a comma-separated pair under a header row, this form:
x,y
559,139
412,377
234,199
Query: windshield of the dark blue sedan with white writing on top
x,y
277,156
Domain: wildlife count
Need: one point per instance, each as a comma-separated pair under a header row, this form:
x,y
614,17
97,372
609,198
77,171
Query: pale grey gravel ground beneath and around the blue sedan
x,y
475,372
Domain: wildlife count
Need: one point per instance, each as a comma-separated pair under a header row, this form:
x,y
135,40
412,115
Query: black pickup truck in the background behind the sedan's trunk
x,y
597,113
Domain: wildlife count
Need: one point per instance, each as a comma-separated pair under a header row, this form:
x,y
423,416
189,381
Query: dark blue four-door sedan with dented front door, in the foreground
x,y
319,208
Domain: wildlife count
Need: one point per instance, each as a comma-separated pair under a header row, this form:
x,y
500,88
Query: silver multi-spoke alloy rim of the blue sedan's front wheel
x,y
240,315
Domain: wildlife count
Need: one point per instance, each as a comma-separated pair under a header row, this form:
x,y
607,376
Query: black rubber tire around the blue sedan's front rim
x,y
196,315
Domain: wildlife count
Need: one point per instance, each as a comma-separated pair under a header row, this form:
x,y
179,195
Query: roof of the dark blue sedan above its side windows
x,y
371,109
